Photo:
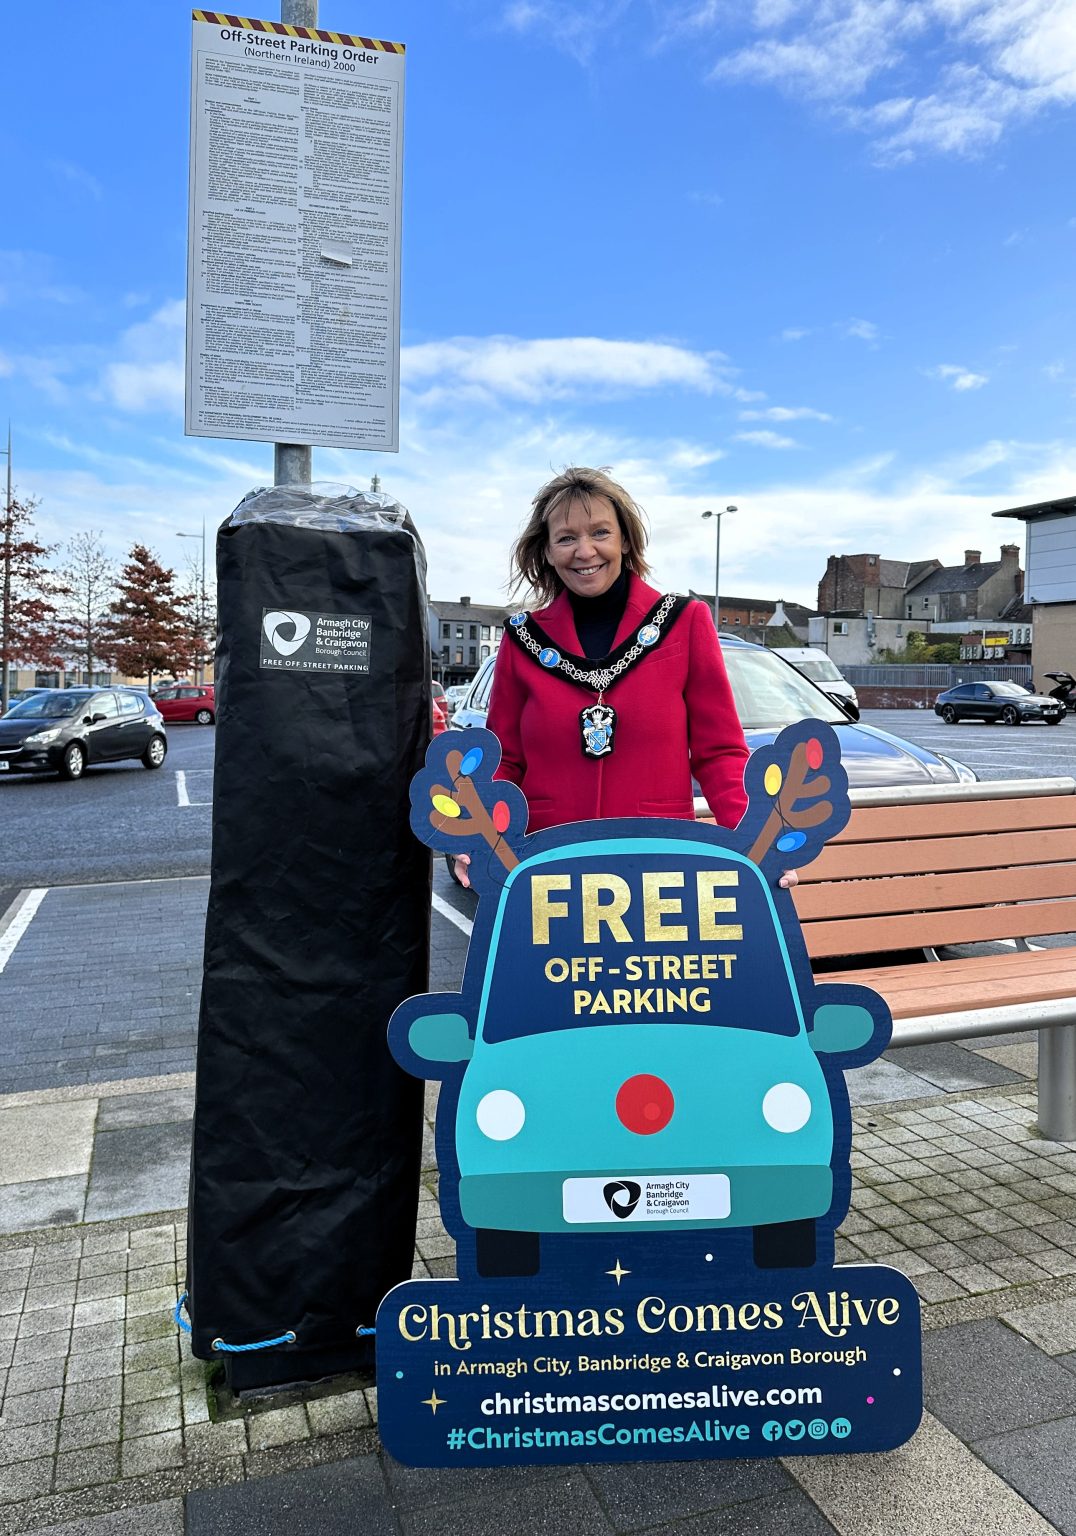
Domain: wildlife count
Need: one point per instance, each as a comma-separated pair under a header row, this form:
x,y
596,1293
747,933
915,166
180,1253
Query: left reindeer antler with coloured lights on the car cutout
x,y
458,807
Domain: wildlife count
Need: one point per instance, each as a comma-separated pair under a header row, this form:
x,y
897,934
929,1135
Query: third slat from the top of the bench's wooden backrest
x,y
929,893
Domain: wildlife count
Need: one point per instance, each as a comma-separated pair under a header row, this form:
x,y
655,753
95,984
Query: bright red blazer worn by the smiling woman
x,y
676,717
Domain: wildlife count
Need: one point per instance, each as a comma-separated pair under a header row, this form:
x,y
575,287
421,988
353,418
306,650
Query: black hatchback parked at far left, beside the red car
x,y
68,729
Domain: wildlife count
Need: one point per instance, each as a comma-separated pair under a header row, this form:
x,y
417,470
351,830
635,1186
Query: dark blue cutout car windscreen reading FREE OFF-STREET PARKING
x,y
652,939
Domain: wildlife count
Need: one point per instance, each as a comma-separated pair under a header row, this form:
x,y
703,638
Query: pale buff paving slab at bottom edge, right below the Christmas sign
x,y
934,1485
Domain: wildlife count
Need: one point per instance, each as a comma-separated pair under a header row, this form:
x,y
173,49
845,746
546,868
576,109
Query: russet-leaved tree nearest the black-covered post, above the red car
x,y
148,629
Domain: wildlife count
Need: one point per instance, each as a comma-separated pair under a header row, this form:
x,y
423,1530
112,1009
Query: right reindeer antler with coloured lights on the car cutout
x,y
804,795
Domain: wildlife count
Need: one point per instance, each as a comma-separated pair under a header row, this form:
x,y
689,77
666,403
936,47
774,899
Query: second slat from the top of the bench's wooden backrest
x,y
942,855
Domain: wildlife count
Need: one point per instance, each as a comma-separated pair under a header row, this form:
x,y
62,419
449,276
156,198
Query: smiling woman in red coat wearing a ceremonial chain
x,y
609,698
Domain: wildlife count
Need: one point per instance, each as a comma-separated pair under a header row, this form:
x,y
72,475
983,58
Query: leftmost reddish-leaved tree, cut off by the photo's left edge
x,y
30,631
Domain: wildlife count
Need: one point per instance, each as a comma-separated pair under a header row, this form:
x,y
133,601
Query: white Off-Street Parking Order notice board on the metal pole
x,y
295,236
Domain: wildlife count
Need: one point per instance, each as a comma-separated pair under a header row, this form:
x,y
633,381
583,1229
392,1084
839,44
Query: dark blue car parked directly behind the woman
x,y
770,695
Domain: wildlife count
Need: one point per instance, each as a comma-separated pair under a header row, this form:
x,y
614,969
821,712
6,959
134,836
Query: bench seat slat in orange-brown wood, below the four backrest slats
x,y
969,984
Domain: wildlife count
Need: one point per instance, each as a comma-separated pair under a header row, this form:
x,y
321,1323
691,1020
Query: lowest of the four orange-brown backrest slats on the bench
x,y
917,930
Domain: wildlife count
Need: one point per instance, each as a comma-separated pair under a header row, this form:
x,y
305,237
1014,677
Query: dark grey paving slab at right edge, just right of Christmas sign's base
x,y
982,1379
